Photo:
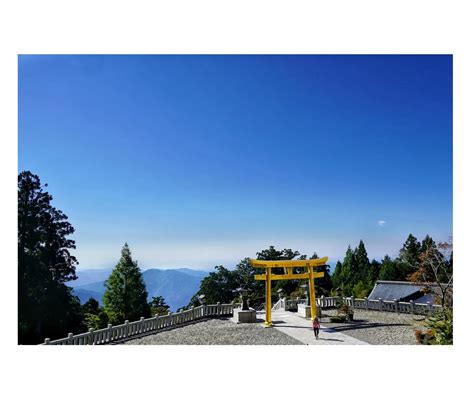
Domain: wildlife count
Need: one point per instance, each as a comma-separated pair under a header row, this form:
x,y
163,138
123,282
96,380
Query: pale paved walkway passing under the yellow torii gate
x,y
300,328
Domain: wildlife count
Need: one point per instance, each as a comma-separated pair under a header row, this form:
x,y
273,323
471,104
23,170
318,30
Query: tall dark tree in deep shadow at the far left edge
x,y
46,306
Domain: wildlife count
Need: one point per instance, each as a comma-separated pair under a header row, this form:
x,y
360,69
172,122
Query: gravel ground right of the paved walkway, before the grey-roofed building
x,y
378,328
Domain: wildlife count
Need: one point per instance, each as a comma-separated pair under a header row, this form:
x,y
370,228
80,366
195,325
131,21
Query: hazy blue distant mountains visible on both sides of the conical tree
x,y
177,286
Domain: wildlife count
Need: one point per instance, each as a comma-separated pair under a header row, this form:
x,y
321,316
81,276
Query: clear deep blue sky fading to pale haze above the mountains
x,y
197,161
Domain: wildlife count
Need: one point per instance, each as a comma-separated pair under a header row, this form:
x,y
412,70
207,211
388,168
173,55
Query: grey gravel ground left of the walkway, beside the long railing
x,y
217,332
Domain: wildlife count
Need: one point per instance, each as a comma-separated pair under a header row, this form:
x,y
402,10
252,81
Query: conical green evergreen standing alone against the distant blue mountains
x,y
125,297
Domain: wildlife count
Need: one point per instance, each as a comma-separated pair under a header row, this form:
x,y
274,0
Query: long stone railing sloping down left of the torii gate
x,y
143,326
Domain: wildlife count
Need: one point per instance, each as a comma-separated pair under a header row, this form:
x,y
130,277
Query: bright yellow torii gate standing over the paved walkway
x,y
289,275
